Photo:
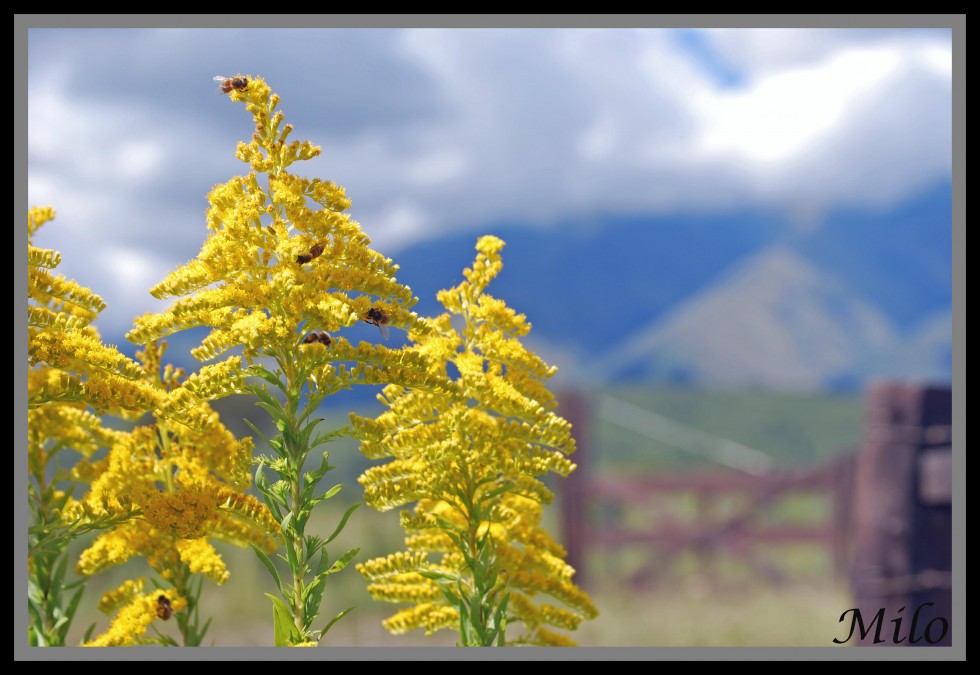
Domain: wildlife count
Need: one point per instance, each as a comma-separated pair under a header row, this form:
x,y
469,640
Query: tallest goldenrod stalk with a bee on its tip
x,y
283,274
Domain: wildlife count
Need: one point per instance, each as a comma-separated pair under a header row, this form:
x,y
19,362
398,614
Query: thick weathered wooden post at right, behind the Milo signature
x,y
901,570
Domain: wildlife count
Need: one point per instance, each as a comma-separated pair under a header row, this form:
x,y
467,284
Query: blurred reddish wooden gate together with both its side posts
x,y
888,526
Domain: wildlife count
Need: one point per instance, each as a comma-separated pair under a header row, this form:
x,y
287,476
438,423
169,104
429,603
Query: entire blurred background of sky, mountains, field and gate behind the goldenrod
x,y
735,244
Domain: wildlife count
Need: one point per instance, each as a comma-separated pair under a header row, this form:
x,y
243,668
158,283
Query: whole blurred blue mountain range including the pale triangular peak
x,y
745,300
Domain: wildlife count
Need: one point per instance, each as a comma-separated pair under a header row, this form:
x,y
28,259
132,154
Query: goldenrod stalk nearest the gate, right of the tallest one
x,y
470,458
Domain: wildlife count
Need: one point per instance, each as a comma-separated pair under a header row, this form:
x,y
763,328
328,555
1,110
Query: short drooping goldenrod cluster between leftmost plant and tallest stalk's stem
x,y
187,485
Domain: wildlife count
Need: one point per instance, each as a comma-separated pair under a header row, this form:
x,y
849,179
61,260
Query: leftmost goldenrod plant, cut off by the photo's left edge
x,y
73,377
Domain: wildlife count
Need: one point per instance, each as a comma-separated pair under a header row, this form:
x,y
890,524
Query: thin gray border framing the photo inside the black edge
x,y
957,25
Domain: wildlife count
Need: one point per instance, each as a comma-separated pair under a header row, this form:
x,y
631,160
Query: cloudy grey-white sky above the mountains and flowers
x,y
433,130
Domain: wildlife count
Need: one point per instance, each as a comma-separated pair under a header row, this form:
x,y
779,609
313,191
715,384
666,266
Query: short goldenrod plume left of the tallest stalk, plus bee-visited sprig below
x,y
185,482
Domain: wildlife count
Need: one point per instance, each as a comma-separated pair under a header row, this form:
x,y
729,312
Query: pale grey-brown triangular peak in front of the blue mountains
x,y
777,321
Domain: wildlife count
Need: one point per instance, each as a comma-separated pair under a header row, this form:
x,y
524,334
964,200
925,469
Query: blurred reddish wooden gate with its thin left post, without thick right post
x,y
616,514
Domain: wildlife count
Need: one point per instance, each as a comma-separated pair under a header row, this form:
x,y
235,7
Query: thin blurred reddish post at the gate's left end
x,y
573,405
